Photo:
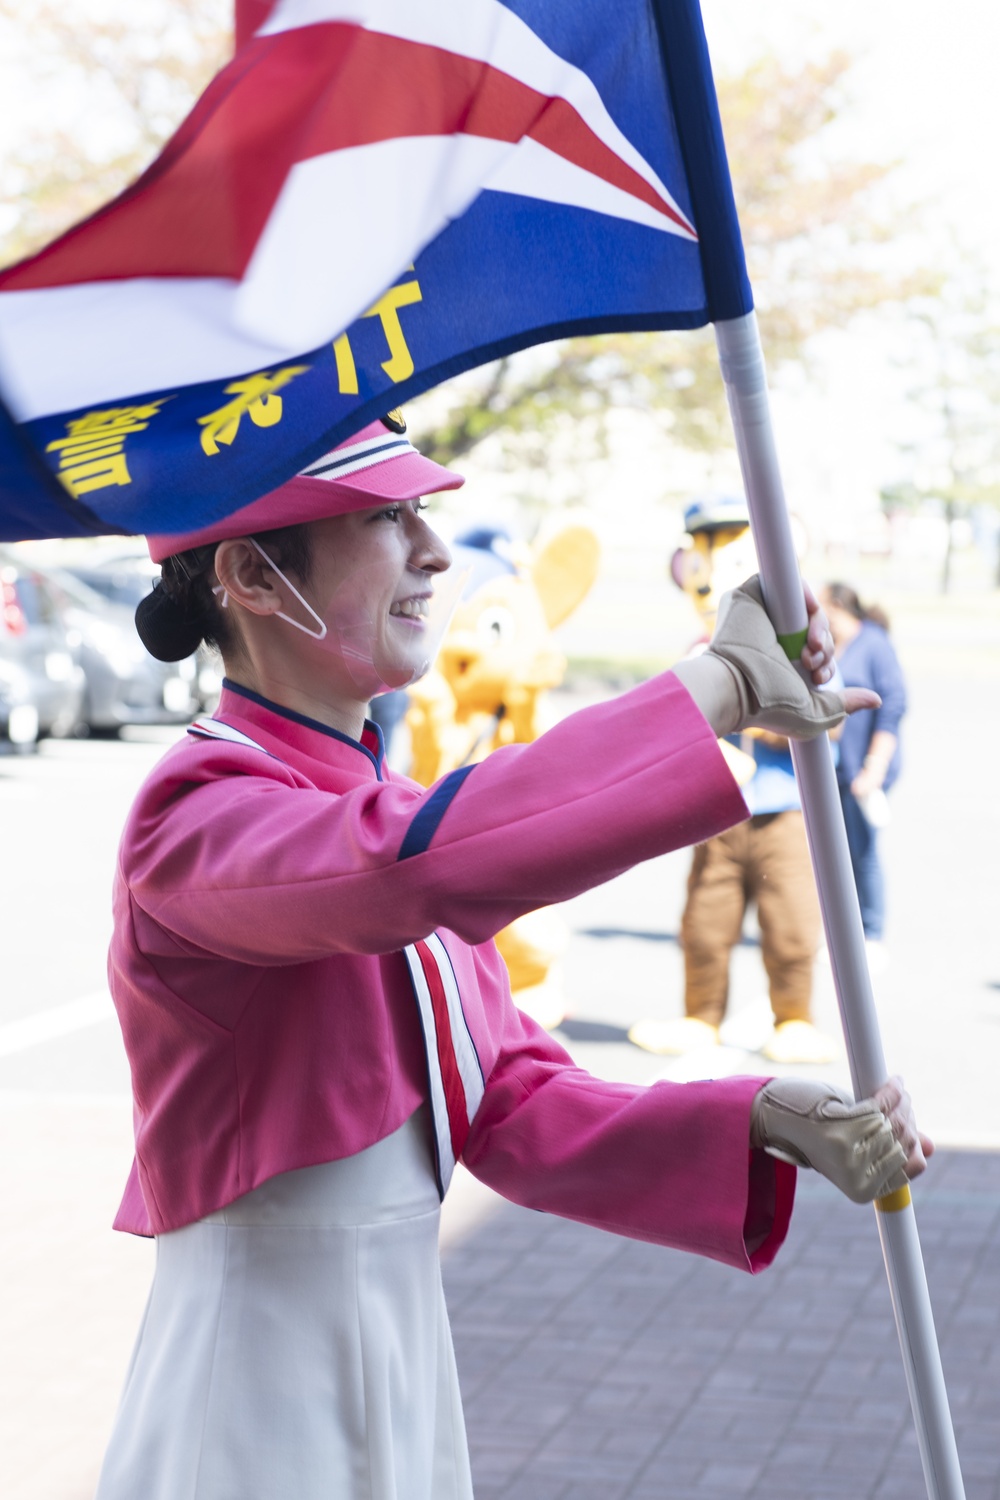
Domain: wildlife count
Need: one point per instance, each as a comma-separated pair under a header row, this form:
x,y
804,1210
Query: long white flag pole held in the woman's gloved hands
x,y
743,364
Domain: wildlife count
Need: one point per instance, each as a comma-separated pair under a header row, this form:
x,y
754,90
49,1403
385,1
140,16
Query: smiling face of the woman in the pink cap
x,y
371,583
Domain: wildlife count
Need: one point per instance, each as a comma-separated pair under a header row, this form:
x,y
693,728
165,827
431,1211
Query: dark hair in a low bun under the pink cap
x,y
184,611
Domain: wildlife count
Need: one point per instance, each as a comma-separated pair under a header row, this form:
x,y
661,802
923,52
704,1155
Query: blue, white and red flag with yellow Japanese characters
x,y
373,197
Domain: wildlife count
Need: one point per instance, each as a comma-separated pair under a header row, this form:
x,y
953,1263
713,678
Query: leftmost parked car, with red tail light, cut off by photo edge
x,y
41,682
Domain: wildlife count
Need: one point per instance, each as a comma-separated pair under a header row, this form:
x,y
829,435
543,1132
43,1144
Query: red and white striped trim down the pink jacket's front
x,y
454,1064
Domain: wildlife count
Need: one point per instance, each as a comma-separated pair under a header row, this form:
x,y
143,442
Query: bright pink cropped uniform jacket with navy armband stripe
x,y
262,902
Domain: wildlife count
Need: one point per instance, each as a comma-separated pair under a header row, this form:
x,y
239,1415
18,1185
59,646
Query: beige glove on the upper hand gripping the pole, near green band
x,y
773,695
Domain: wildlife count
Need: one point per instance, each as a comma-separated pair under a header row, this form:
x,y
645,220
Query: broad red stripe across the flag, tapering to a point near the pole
x,y
203,205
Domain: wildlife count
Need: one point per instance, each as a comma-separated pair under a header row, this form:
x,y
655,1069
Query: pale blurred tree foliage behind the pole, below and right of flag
x,y
813,239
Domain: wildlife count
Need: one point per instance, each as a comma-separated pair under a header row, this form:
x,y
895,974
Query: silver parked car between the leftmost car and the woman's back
x,y
125,685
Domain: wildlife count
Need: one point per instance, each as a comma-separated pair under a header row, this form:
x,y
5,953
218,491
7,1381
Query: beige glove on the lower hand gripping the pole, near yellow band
x,y
818,1126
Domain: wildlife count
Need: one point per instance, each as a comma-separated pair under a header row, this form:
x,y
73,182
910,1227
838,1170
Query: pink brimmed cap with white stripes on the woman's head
x,y
379,463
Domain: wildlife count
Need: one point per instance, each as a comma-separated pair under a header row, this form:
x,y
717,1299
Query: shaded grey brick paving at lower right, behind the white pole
x,y
597,1369
